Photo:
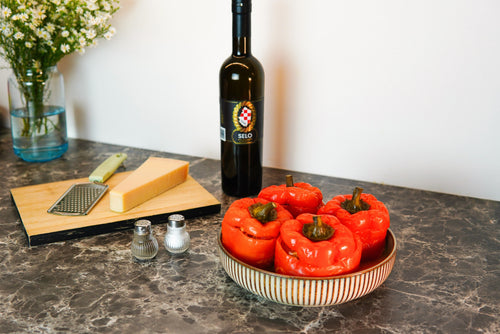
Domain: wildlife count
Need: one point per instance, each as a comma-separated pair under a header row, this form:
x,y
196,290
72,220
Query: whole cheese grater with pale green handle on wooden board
x,y
80,198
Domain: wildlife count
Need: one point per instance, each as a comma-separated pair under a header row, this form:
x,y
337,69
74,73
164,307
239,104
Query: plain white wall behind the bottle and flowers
x,y
397,92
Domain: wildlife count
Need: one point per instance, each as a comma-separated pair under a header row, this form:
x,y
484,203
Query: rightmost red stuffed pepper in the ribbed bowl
x,y
365,216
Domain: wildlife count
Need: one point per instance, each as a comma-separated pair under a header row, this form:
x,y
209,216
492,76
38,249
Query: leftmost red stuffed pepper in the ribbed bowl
x,y
250,229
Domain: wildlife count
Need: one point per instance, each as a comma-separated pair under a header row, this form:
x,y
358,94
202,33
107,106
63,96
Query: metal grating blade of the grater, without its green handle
x,y
79,199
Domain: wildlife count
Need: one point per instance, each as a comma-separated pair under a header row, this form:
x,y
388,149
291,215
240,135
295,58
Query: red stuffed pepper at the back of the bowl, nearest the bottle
x,y
297,197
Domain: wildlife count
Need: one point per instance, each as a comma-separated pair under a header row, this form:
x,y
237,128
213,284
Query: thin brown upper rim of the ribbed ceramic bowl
x,y
388,255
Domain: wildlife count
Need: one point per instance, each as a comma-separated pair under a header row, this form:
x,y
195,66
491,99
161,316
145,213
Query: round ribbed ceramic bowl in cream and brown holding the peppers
x,y
311,291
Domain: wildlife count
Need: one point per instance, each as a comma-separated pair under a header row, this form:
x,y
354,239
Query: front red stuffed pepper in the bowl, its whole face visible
x,y
318,246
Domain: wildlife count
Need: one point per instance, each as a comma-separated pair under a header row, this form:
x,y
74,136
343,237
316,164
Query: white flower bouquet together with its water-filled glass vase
x,y
34,36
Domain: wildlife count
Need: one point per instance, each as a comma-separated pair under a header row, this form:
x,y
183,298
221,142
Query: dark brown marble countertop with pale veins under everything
x,y
446,278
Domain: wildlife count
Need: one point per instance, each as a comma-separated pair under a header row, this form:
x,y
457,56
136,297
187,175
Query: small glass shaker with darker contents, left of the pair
x,y
144,245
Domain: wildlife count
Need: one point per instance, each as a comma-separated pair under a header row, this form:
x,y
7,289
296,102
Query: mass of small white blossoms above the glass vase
x,y
46,30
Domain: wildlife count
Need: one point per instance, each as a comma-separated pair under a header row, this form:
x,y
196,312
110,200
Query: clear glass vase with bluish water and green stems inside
x,y
38,114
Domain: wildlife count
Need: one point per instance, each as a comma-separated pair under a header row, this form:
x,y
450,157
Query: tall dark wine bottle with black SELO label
x,y
241,80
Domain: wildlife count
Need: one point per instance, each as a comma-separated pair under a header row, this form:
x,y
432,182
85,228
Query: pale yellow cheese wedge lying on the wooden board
x,y
152,178
